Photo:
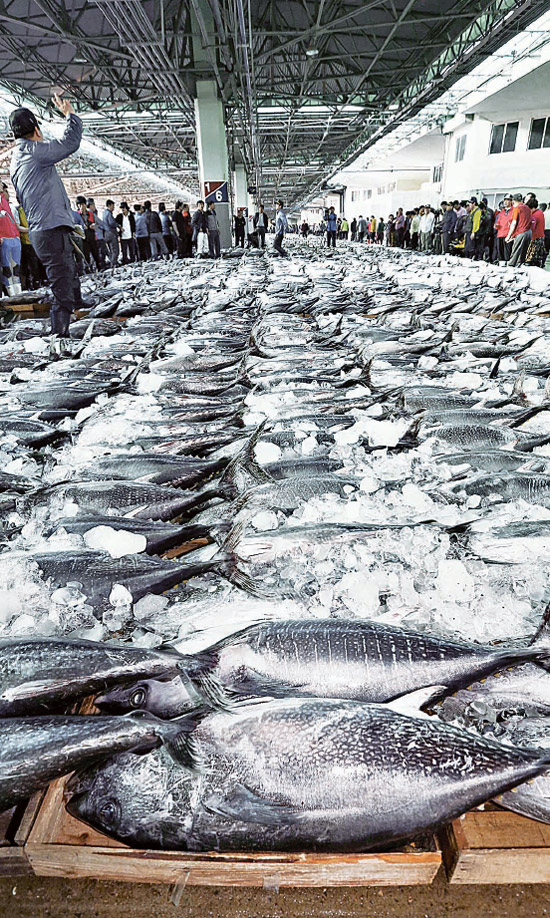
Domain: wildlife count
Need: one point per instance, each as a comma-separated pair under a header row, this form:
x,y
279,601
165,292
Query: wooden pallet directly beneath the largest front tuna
x,y
59,845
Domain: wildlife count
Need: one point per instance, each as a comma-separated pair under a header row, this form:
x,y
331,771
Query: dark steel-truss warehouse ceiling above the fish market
x,y
307,85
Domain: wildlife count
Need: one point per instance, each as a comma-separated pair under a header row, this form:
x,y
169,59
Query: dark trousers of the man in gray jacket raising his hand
x,y
55,250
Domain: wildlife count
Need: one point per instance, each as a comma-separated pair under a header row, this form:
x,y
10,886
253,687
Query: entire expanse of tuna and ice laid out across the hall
x,y
311,499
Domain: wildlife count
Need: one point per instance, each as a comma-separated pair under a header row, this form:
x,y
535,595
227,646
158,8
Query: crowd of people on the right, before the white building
x,y
516,233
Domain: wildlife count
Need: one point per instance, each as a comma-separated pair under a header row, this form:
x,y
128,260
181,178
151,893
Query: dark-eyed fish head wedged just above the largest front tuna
x,y
167,696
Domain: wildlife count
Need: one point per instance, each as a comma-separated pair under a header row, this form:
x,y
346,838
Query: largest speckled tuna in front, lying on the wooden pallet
x,y
300,774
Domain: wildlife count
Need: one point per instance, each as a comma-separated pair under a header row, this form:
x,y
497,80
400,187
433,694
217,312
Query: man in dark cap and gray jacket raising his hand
x,y
45,202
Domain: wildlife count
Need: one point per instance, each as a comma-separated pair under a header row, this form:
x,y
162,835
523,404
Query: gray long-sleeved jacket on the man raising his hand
x,y
39,188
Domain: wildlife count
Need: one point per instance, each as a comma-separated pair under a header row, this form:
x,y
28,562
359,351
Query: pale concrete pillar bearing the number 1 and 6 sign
x,y
212,153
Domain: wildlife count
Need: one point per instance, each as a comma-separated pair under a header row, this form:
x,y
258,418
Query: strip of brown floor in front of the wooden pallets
x,y
52,898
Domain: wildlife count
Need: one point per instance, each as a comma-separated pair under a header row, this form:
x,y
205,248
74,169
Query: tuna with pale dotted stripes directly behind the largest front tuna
x,y
337,658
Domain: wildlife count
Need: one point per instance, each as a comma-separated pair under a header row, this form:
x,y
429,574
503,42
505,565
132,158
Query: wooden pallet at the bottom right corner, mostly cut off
x,y
495,846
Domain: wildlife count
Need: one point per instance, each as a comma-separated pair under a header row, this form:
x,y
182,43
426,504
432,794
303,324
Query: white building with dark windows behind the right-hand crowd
x,y
500,144
